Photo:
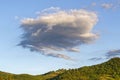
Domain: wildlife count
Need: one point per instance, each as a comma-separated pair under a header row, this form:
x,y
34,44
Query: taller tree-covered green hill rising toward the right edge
x,y
106,71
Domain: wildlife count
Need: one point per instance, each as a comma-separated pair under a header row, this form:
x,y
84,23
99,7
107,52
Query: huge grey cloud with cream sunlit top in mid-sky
x,y
59,31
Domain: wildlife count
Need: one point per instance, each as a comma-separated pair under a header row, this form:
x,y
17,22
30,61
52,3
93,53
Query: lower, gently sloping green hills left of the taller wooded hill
x,y
46,76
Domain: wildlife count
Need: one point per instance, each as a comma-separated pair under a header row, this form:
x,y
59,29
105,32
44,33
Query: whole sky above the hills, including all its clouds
x,y
38,36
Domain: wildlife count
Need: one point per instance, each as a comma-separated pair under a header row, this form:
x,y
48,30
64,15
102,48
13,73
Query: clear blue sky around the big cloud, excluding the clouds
x,y
16,59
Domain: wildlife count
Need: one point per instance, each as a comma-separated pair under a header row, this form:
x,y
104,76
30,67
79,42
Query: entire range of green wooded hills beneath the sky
x,y
109,70
